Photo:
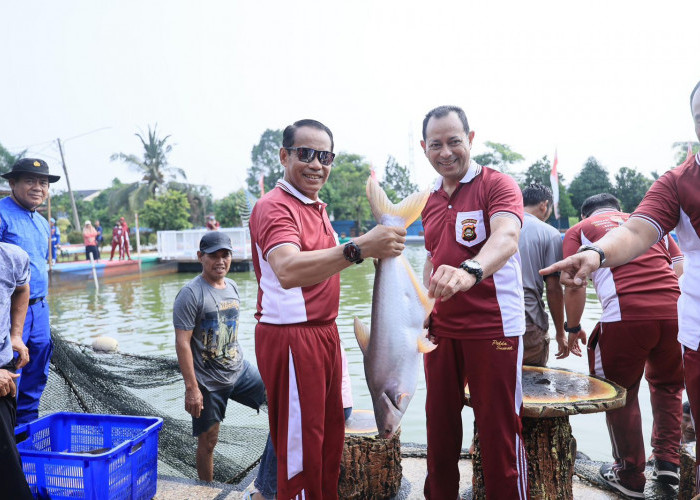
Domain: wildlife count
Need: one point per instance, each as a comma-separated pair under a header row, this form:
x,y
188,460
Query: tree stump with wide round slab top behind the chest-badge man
x,y
549,397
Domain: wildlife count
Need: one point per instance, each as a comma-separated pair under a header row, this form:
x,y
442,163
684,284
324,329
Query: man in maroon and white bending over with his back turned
x,y
636,336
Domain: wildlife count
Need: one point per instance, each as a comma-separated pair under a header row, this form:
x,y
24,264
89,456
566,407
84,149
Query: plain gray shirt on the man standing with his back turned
x,y
540,246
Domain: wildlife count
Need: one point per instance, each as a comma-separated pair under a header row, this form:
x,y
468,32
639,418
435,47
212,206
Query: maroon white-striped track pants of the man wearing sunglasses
x,y
301,368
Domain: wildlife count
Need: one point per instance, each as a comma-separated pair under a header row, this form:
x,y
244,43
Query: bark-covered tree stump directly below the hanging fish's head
x,y
371,467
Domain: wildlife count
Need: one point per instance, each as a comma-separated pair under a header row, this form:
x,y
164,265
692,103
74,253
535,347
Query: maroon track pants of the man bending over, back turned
x,y
623,351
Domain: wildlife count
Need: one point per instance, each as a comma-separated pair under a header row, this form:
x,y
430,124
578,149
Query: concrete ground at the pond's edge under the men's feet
x,y
414,470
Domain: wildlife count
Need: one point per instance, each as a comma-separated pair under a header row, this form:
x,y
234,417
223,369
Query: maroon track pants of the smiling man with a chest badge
x,y
492,368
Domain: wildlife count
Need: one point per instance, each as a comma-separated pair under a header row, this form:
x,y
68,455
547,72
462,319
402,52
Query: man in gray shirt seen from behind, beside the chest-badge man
x,y
540,245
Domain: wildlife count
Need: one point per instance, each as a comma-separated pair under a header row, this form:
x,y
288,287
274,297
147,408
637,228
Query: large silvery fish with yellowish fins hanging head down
x,y
394,347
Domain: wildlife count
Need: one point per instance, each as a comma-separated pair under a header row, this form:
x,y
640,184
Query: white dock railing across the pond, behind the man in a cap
x,y
183,245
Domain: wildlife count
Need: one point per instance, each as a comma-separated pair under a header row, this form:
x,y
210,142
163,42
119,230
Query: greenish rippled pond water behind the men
x,y
138,313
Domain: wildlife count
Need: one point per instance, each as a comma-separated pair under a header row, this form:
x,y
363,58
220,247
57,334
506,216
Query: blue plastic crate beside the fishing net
x,y
96,457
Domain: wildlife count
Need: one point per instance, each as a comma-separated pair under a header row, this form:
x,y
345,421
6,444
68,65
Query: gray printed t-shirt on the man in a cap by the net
x,y
212,315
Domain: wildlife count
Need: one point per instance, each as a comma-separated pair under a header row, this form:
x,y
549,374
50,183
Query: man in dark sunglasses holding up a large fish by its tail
x,y
297,260
